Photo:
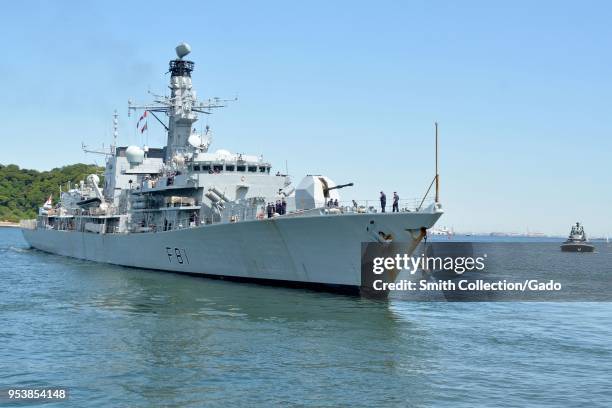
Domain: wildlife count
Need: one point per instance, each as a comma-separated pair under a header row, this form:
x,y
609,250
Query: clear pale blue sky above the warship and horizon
x,y
522,91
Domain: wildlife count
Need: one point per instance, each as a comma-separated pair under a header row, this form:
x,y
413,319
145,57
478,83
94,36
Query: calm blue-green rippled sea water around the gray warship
x,y
124,337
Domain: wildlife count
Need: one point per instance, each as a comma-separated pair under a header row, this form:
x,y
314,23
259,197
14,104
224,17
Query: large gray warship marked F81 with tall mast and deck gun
x,y
187,209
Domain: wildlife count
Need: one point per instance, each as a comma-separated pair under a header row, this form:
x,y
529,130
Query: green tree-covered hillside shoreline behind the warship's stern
x,y
23,191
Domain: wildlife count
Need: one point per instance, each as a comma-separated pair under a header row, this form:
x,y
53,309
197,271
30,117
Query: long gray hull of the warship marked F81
x,y
302,251
